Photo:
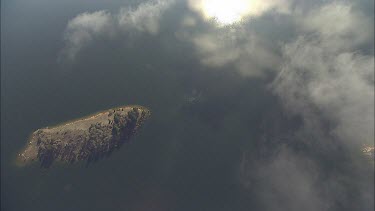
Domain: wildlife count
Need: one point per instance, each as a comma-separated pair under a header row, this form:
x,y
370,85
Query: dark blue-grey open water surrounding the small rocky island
x,y
186,157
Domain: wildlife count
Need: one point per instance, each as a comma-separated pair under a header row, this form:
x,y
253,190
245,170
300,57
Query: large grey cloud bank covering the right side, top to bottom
x,y
325,76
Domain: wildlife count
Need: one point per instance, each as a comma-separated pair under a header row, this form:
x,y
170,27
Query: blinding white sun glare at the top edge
x,y
224,11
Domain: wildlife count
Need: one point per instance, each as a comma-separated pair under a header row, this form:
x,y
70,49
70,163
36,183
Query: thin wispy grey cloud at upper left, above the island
x,y
86,27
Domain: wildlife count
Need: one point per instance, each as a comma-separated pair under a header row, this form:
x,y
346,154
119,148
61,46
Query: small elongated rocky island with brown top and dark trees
x,y
87,139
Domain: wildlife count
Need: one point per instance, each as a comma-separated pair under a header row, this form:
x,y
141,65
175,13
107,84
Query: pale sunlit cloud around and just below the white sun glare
x,y
238,45
